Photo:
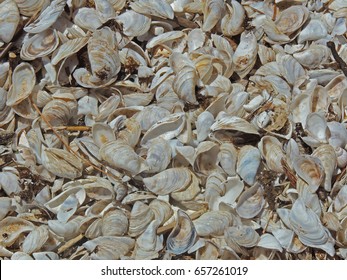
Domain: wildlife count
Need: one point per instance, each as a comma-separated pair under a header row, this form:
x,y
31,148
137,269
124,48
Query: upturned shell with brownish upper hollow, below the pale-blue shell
x,y
251,202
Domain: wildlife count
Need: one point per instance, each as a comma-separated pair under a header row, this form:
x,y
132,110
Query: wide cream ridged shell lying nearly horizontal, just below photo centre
x,y
168,181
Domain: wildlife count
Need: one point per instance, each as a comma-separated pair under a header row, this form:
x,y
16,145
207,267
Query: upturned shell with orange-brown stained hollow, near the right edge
x,y
310,169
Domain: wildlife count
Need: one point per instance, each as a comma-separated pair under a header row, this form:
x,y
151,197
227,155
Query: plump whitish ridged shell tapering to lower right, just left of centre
x,y
120,155
